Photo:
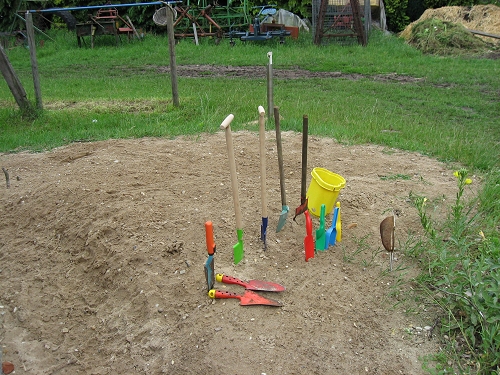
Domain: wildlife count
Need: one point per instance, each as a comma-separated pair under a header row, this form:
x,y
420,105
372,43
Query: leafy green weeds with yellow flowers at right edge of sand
x,y
461,274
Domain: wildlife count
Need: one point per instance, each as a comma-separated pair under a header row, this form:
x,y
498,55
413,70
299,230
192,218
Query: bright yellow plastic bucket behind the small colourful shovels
x,y
323,189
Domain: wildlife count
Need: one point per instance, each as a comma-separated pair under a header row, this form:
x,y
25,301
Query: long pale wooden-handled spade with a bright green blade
x,y
238,248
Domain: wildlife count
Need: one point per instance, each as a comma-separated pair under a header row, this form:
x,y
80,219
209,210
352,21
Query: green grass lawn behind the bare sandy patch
x,y
451,112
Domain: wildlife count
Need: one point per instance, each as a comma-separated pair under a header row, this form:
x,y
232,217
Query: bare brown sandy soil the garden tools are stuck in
x,y
102,253
